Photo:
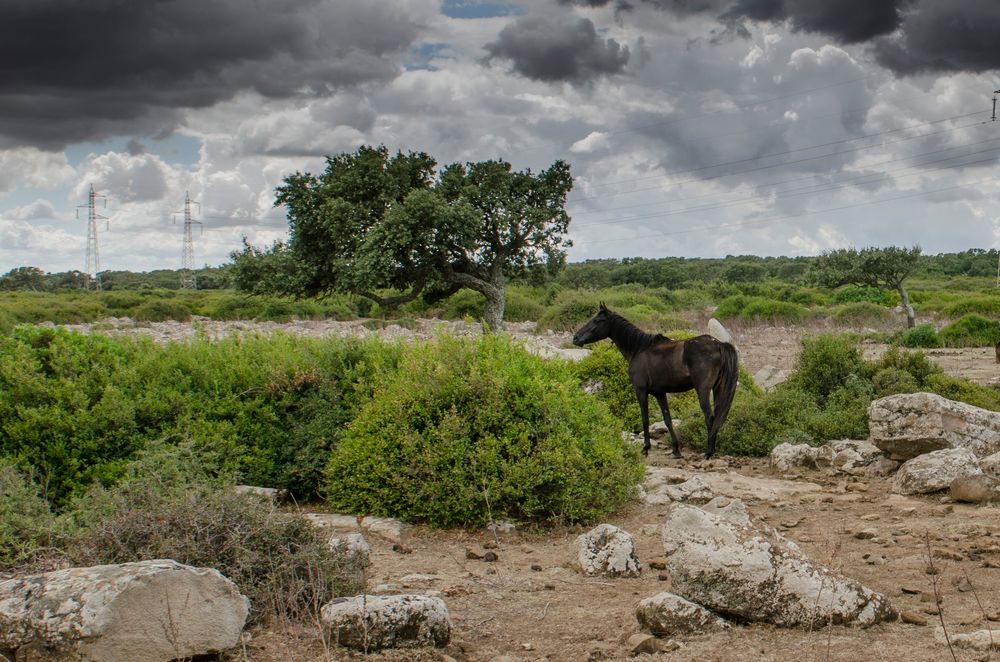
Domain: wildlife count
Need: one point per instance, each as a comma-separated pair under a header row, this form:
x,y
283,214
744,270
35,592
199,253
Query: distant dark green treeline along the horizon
x,y
669,272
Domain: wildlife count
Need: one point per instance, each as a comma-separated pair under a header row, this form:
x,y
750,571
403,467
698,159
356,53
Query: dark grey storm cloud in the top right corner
x,y
945,35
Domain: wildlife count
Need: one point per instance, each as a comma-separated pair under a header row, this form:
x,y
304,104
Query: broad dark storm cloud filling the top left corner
x,y
73,71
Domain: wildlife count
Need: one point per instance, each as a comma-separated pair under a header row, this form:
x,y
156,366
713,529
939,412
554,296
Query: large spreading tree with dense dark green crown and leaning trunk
x,y
374,223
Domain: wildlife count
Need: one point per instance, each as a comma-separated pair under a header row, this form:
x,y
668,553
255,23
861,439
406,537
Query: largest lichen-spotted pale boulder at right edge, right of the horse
x,y
910,424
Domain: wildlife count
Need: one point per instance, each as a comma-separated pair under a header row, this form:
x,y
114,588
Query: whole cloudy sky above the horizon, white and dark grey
x,y
694,128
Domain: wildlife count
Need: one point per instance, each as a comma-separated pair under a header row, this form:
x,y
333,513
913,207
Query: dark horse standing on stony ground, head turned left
x,y
658,365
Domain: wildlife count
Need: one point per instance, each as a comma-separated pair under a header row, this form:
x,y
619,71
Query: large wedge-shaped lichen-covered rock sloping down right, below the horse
x,y
719,558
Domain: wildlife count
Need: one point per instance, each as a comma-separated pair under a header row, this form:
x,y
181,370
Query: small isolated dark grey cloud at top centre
x,y
548,49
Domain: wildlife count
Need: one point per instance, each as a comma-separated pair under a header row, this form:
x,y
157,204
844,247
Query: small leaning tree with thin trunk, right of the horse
x,y
884,268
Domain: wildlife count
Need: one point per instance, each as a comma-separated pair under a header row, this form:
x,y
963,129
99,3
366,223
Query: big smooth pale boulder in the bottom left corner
x,y
149,610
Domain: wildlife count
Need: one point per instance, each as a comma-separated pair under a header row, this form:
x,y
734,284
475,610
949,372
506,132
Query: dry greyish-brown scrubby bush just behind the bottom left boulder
x,y
171,507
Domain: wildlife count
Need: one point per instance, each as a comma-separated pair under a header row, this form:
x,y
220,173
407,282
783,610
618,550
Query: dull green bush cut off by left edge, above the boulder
x,y
25,519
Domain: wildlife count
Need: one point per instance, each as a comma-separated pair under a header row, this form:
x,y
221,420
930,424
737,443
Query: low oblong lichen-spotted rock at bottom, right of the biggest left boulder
x,y
374,622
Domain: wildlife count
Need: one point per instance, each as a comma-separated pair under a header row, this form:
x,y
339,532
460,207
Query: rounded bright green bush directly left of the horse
x,y
465,431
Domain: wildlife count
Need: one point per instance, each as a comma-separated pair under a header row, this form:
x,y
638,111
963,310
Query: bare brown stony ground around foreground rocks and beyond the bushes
x,y
532,603
